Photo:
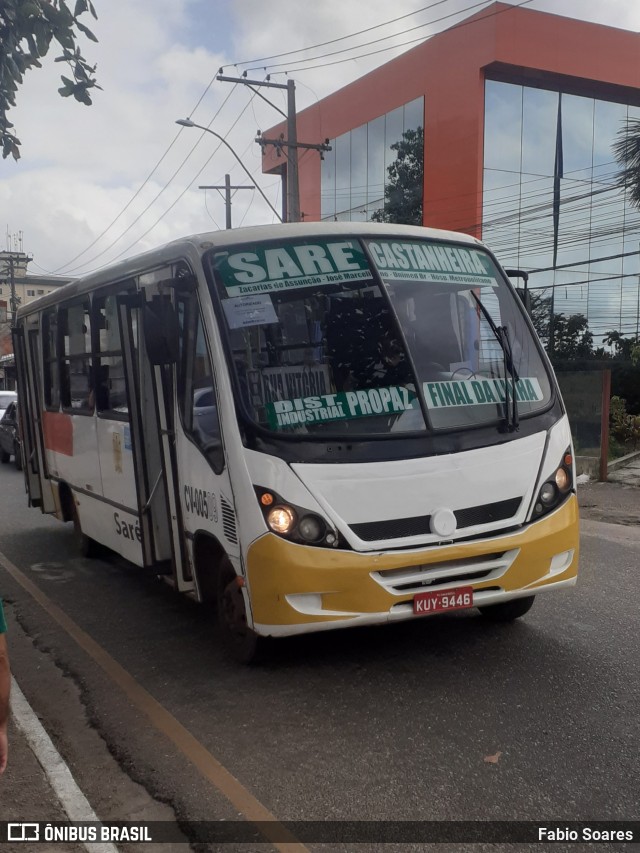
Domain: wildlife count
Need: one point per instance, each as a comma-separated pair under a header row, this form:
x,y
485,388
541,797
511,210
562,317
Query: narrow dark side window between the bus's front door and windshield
x,y
197,393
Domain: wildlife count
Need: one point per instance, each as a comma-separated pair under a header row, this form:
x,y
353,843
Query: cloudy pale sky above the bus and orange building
x,y
104,182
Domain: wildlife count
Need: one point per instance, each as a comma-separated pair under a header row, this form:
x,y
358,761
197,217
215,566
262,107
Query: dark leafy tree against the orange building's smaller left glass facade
x,y
403,192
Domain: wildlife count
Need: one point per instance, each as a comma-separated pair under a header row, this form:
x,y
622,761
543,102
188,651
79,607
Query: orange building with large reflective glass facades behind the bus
x,y
501,126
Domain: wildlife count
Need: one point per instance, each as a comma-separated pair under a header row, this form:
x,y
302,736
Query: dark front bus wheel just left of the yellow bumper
x,y
244,645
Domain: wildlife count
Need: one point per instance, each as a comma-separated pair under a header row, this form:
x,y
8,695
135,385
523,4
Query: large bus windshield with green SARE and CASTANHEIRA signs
x,y
360,337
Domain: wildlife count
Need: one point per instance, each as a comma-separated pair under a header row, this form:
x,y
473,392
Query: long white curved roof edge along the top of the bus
x,y
198,243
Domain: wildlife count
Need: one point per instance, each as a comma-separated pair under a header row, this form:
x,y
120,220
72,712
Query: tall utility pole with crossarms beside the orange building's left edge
x,y
291,195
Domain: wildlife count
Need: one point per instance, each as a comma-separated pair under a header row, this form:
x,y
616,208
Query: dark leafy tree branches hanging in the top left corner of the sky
x,y
27,29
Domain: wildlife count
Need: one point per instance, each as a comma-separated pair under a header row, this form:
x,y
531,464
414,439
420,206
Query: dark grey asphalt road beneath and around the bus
x,y
446,718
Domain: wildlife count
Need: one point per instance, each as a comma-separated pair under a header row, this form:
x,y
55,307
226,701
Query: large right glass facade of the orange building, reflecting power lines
x,y
551,204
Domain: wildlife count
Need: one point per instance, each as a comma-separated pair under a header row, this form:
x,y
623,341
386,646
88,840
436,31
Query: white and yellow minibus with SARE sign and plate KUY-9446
x,y
313,426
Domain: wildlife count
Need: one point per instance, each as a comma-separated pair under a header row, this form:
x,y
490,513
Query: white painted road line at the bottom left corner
x,y
71,798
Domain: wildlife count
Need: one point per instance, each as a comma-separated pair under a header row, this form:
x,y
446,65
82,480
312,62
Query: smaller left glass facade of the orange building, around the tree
x,y
356,176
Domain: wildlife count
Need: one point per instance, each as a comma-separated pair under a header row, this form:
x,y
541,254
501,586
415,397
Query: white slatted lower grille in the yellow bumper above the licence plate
x,y
434,576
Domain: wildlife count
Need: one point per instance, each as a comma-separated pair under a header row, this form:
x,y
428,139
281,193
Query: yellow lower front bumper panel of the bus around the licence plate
x,y
297,588
